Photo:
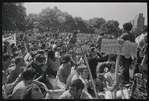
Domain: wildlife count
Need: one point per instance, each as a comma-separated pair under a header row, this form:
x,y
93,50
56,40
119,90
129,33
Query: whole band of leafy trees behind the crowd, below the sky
x,y
54,20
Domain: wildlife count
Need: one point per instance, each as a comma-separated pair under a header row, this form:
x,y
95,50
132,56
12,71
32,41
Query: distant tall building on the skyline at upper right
x,y
138,21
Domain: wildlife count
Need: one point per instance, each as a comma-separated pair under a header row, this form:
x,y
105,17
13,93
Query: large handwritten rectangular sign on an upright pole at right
x,y
126,48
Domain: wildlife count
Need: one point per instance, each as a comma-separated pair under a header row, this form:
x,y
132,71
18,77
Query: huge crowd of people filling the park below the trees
x,y
49,69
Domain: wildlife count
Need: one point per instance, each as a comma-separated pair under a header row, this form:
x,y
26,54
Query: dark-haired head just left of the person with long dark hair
x,y
40,59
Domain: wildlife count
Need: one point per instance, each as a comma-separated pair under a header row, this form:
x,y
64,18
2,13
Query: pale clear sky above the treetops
x,y
122,12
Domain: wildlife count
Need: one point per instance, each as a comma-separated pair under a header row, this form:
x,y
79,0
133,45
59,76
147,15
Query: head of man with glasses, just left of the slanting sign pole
x,y
83,71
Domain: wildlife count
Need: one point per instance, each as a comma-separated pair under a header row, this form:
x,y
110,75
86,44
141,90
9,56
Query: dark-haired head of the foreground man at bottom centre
x,y
76,87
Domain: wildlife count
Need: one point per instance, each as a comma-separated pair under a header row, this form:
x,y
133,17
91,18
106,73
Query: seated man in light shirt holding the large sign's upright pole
x,y
113,85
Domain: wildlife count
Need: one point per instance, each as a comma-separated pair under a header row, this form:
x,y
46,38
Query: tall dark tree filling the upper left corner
x,y
13,16
